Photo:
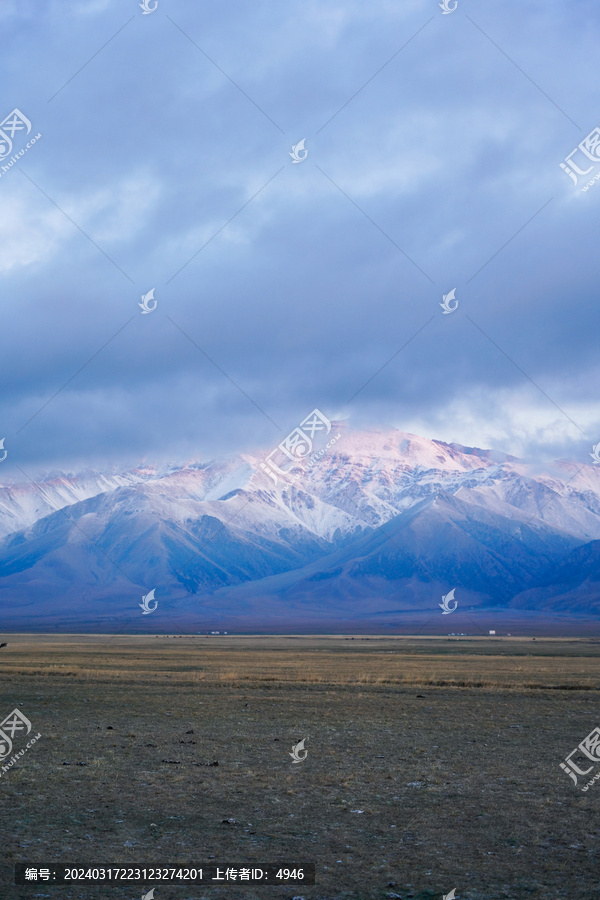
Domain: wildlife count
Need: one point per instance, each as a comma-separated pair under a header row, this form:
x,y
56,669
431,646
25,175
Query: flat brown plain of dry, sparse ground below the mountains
x,y
432,764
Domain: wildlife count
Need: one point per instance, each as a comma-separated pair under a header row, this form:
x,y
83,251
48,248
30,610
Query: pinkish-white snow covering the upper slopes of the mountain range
x,y
368,476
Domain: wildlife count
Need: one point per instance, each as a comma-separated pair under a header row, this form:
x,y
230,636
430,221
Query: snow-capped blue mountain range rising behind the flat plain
x,y
382,524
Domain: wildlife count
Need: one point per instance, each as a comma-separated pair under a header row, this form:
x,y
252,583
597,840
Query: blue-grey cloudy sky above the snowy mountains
x,y
433,143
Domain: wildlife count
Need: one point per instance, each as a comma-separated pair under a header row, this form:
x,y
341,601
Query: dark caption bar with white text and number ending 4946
x,y
281,873
